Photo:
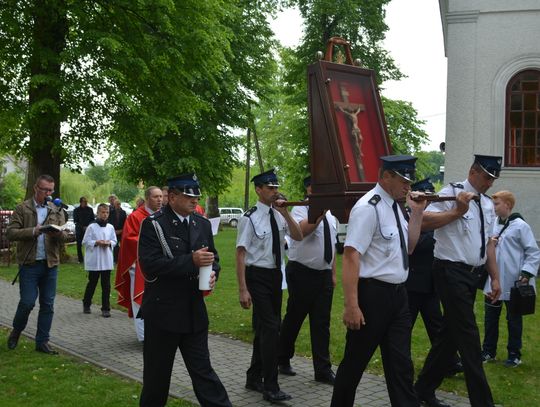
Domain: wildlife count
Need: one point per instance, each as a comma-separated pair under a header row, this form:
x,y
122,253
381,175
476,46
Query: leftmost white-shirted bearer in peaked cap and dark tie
x,y
260,245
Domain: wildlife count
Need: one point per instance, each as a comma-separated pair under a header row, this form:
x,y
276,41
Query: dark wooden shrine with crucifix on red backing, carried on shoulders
x,y
347,133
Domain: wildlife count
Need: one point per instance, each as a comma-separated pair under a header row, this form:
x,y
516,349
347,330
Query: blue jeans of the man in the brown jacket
x,y
36,280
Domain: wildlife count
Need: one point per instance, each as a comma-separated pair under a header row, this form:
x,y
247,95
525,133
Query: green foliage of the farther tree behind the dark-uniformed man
x,y
205,144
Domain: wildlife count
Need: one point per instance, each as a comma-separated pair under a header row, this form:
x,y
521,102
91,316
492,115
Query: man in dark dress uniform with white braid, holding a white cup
x,y
175,246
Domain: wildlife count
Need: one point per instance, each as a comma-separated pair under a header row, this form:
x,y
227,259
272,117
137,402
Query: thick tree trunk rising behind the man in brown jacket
x,y
46,112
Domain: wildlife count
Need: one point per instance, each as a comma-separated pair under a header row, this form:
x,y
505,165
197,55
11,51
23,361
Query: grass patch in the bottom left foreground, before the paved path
x,y
31,379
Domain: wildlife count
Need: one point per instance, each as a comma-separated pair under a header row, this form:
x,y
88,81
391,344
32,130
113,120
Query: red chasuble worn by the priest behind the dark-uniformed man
x,y
126,257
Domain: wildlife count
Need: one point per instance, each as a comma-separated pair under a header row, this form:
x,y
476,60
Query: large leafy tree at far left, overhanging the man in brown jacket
x,y
75,75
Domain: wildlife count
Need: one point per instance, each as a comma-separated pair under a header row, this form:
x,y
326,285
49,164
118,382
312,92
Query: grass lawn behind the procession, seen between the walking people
x,y
511,387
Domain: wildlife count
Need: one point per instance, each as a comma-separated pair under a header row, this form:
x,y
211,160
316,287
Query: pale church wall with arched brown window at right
x,y
493,94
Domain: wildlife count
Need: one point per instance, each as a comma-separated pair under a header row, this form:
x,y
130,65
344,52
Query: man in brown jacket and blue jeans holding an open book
x,y
38,255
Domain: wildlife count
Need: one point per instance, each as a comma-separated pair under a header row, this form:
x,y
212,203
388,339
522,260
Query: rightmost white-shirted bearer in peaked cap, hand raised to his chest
x,y
463,249
